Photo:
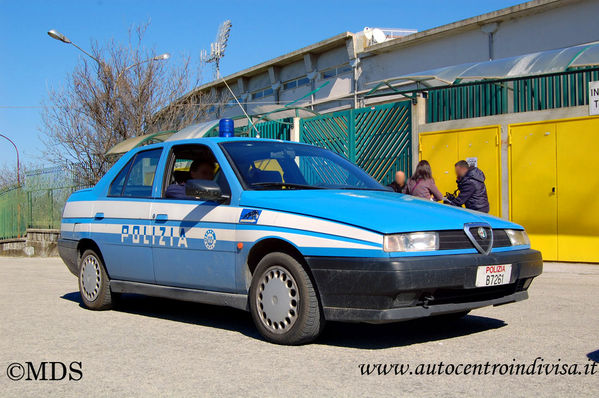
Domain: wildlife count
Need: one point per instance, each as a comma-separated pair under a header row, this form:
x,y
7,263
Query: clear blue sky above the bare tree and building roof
x,y
31,61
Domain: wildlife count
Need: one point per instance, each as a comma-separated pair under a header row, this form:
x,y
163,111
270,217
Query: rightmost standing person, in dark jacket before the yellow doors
x,y
471,183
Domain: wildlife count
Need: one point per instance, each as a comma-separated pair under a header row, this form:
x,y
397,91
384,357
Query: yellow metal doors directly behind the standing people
x,y
444,148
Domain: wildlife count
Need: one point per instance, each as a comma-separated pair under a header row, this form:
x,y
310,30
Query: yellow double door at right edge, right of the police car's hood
x,y
554,182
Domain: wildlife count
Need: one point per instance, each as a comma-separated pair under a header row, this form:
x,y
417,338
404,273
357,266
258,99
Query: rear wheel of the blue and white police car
x,y
94,284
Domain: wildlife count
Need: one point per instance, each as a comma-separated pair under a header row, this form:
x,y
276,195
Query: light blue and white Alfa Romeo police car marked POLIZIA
x,y
293,233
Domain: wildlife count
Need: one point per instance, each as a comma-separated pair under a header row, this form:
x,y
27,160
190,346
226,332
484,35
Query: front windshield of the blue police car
x,y
272,165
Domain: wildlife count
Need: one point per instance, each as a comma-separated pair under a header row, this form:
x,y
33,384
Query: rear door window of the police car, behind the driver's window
x,y
137,178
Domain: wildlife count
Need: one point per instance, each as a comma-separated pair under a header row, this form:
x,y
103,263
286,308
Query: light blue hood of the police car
x,y
380,211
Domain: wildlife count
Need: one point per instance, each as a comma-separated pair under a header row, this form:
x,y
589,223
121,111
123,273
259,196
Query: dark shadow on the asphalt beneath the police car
x,y
352,335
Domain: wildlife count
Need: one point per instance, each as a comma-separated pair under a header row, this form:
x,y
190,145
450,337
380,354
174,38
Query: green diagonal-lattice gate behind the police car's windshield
x,y
377,138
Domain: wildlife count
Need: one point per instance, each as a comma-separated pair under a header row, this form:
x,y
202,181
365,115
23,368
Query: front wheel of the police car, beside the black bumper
x,y
283,301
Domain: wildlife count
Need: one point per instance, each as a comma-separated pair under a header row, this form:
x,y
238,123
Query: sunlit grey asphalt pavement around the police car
x,y
169,348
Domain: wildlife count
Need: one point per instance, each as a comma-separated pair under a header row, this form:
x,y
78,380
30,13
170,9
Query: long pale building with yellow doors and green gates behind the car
x,y
529,129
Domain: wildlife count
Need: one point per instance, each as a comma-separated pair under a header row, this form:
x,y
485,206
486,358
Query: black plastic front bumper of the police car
x,y
381,290
